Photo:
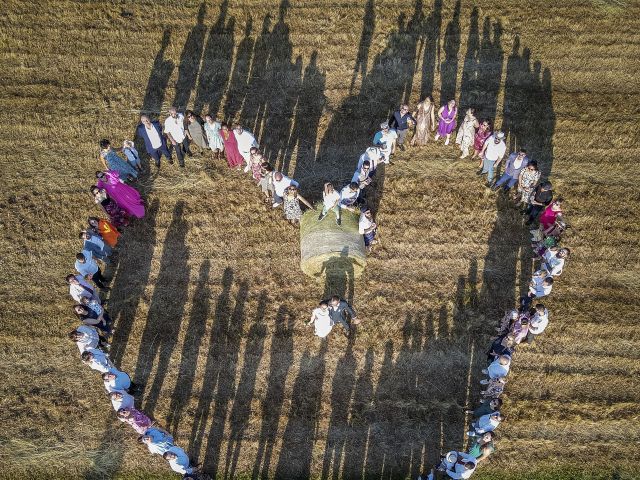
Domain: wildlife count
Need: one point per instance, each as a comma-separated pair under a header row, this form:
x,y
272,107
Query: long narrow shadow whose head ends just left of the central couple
x,y
281,359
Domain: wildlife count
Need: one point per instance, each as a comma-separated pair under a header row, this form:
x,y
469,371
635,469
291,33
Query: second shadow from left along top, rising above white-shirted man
x,y
190,61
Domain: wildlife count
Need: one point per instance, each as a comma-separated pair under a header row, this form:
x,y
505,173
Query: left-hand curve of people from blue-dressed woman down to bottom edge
x,y
121,203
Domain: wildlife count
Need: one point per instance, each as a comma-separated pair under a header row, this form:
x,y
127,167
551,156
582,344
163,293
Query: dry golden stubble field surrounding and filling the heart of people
x,y
207,292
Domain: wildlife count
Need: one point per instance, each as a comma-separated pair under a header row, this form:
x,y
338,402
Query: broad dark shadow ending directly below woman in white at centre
x,y
298,436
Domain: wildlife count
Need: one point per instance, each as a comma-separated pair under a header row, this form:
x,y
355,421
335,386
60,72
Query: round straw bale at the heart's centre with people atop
x,y
328,250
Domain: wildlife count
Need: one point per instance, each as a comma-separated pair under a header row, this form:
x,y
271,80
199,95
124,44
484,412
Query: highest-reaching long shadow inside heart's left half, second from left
x,y
166,310
